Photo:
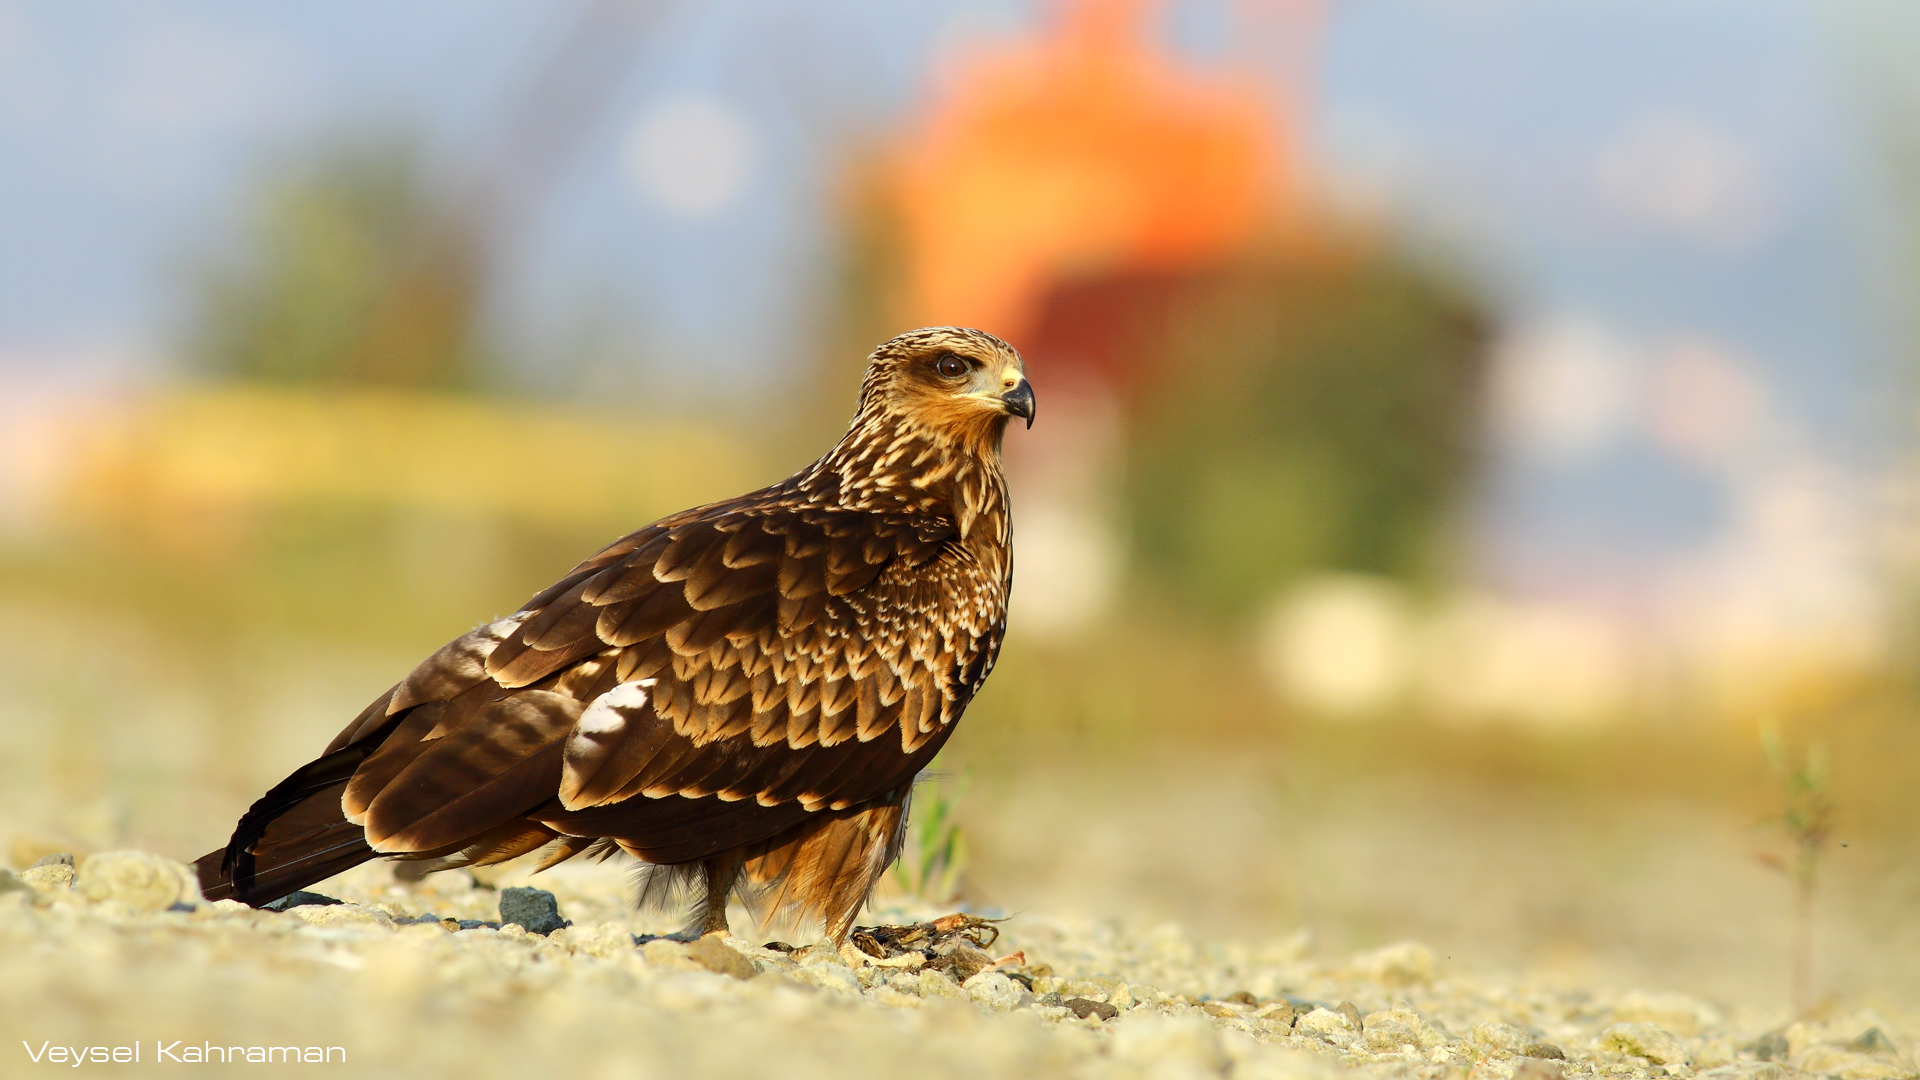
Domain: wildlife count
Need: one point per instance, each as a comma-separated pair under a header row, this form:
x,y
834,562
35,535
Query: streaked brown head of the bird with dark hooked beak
x,y
948,381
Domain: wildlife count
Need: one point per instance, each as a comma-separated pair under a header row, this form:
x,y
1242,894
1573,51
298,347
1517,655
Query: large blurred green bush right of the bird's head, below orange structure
x,y
1316,416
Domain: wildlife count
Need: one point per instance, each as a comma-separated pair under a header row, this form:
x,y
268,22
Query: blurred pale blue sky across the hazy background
x,y
1673,207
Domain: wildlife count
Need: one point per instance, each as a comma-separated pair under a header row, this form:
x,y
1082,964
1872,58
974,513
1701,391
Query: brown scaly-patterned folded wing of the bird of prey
x,y
704,683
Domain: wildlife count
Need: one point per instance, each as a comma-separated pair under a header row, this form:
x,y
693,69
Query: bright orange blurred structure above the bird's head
x,y
1084,153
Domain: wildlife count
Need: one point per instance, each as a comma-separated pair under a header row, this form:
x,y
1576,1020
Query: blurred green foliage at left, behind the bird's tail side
x,y
350,268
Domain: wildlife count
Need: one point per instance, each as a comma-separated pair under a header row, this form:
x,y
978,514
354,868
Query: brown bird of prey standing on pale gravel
x,y
738,695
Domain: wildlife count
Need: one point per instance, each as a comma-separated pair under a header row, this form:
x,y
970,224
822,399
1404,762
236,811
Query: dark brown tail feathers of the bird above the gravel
x,y
293,837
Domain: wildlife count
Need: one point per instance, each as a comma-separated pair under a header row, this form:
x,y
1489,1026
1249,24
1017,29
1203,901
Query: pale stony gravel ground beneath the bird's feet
x,y
425,981
